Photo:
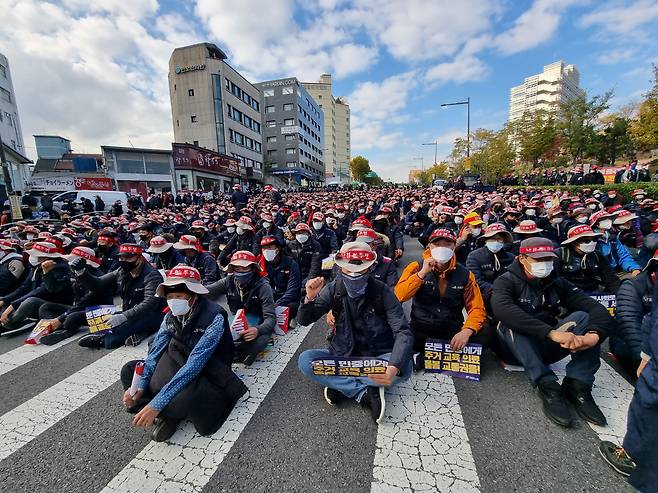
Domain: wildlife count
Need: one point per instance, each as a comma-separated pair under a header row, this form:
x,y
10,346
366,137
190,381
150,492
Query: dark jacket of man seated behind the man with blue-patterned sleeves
x,y
137,293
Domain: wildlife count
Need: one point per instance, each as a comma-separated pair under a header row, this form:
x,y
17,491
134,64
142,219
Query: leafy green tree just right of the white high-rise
x,y
577,121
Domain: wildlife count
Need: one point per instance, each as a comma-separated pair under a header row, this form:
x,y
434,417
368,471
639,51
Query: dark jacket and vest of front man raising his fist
x,y
360,331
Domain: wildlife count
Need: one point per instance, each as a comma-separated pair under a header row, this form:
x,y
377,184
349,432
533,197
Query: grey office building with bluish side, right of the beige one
x,y
293,131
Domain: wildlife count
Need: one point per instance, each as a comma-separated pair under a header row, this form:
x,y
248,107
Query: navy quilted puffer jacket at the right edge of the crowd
x,y
634,300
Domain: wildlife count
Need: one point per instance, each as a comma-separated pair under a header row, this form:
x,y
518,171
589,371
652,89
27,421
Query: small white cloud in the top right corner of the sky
x,y
623,19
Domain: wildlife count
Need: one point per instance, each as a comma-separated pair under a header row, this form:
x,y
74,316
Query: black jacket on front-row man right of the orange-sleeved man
x,y
532,306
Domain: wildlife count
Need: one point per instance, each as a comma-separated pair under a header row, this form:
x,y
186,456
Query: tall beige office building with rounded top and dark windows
x,y
216,108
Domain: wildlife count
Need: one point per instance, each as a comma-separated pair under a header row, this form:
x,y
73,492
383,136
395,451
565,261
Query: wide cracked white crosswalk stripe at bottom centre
x,y
422,444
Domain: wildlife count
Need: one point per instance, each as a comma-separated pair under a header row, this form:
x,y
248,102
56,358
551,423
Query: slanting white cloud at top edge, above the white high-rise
x,y
535,26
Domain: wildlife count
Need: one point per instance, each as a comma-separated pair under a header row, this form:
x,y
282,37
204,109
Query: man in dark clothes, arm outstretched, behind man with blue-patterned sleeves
x,y
136,282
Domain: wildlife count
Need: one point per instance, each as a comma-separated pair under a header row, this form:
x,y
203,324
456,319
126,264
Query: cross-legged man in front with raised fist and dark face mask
x,y
369,323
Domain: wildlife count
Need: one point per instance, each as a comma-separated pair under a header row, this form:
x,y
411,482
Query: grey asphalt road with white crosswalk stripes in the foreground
x,y
63,428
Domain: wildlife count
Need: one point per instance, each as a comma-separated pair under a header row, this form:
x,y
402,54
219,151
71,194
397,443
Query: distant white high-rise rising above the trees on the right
x,y
558,83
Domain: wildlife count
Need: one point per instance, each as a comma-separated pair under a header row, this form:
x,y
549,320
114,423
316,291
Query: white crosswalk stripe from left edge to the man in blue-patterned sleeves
x,y
27,421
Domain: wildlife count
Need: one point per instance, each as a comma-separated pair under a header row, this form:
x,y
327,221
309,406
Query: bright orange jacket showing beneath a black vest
x,y
410,283
